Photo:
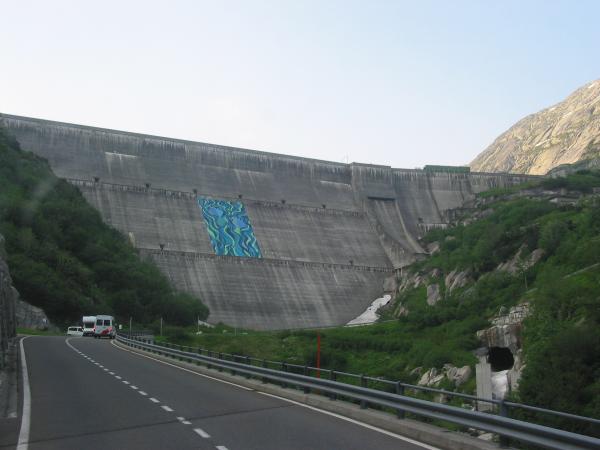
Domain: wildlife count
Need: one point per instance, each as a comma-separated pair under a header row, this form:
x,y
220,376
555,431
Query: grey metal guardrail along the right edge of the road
x,y
505,427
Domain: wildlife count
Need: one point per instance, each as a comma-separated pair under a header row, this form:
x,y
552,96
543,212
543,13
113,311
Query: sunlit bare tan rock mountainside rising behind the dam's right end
x,y
562,134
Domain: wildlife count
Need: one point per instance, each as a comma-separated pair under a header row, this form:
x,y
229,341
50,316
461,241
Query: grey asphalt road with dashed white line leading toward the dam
x,y
90,394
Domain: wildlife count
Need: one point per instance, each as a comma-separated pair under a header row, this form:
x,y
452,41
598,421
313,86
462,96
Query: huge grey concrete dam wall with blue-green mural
x,y
267,241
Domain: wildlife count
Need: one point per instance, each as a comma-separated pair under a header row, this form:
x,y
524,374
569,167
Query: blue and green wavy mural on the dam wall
x,y
229,228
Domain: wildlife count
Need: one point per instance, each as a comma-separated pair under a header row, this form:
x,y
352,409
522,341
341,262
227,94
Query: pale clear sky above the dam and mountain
x,y
400,83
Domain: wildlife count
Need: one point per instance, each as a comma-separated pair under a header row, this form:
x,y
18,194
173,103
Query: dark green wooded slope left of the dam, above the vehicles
x,y
64,259
